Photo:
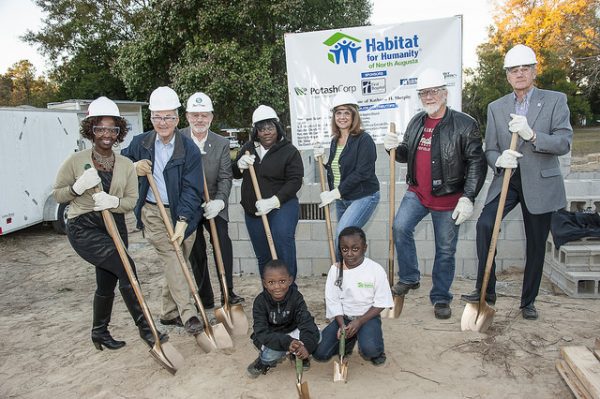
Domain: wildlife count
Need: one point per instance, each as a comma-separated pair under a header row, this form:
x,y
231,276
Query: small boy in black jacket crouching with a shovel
x,y
282,322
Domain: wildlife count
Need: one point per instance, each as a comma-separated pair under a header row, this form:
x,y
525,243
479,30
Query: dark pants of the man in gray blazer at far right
x,y
537,228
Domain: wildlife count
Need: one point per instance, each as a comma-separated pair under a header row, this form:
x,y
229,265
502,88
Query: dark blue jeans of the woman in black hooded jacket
x,y
283,222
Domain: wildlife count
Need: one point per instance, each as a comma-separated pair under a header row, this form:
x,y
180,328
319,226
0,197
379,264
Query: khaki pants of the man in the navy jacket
x,y
176,295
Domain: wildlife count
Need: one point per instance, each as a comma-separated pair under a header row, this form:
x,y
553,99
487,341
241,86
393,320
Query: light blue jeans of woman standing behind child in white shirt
x,y
354,213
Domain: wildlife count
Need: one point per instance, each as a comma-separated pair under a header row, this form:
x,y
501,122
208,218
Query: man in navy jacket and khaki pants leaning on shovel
x,y
175,163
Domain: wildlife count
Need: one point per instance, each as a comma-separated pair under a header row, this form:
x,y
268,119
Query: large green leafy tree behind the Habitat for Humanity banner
x,y
232,50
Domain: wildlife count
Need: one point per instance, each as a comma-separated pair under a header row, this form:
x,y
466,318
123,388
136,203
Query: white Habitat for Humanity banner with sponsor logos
x,y
379,65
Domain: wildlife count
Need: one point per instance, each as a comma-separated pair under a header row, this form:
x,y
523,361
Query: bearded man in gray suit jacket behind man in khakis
x,y
216,163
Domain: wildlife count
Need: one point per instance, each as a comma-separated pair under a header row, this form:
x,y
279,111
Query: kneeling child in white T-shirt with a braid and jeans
x,y
355,295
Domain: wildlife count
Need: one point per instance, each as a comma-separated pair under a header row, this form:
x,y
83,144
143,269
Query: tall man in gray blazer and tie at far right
x,y
541,119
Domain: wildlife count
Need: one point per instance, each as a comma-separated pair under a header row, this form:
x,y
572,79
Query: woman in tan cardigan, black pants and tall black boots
x,y
77,178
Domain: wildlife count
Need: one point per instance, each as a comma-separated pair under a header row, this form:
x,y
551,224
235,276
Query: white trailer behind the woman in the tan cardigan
x,y
35,142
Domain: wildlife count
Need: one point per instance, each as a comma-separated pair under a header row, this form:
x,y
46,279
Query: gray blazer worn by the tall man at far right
x,y
542,181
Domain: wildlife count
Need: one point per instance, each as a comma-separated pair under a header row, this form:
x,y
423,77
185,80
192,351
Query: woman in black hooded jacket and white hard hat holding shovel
x,y
279,171
